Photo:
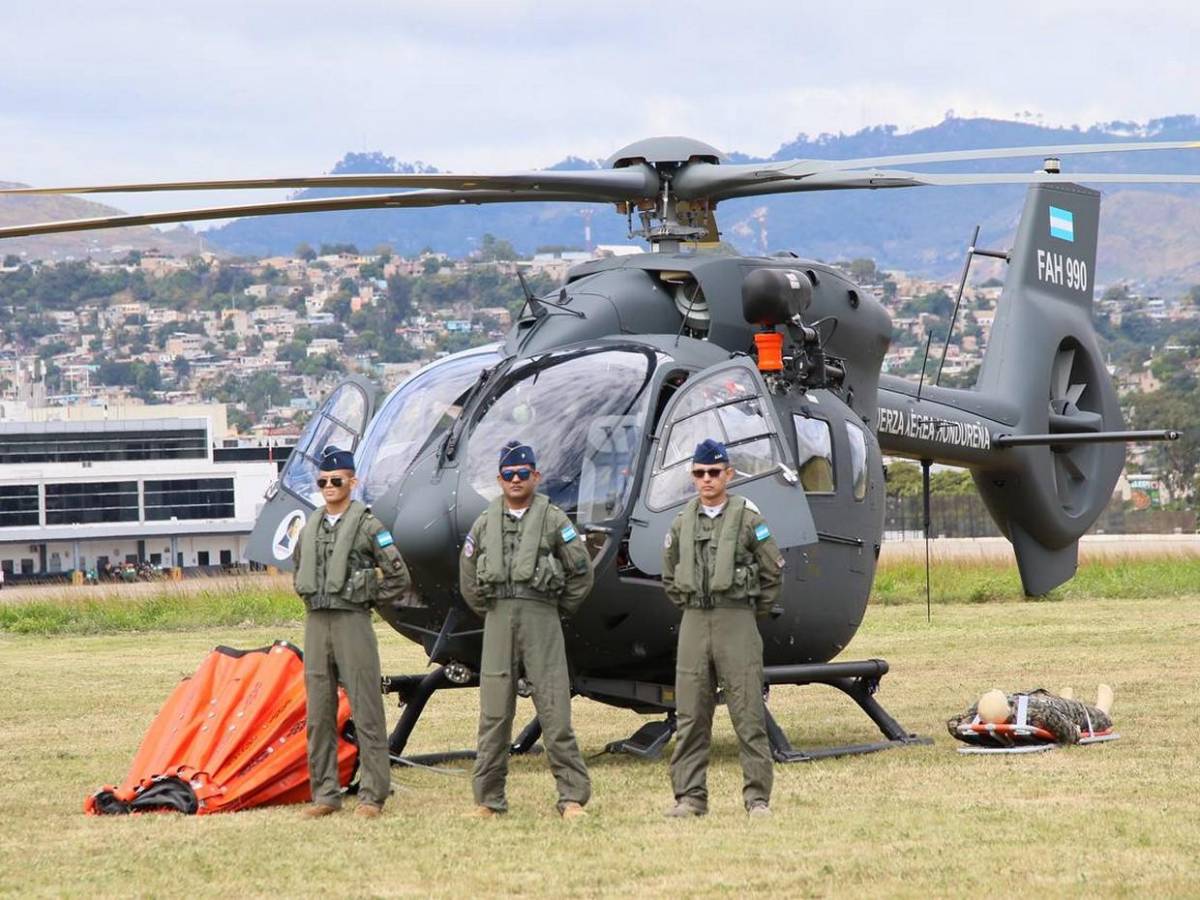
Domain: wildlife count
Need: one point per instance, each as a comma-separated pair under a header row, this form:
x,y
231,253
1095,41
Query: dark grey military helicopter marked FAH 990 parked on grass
x,y
619,375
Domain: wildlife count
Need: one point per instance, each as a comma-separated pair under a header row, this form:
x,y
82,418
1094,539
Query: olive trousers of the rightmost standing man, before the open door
x,y
719,647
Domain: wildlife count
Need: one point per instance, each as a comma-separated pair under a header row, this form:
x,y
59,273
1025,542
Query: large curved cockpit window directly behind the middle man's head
x,y
584,415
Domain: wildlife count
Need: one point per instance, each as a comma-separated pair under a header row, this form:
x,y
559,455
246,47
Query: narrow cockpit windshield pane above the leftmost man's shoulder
x,y
424,405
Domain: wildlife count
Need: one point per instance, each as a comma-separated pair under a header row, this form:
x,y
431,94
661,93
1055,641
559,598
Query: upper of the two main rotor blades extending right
x,y
716,182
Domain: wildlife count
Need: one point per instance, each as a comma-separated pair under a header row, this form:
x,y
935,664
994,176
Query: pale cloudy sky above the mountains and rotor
x,y
136,91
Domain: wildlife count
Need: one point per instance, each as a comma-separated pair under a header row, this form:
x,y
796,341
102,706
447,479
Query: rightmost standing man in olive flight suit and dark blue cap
x,y
722,567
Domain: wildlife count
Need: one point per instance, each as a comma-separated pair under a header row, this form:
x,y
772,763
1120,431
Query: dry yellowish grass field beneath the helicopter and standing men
x,y
1113,820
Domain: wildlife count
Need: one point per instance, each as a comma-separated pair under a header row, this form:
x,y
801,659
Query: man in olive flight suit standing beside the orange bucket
x,y
346,562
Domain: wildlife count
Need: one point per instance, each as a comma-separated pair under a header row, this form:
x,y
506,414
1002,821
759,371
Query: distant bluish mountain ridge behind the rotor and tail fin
x,y
921,231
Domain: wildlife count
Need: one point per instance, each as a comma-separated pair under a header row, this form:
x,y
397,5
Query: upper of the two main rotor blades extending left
x,y
611,185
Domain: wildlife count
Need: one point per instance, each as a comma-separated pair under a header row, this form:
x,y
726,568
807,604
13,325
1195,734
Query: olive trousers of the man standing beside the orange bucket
x,y
340,647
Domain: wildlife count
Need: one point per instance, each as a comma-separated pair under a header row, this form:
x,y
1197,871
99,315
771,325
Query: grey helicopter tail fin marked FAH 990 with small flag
x,y
1043,353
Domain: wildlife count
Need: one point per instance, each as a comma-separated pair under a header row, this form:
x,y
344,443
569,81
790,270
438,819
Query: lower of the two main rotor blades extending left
x,y
333,205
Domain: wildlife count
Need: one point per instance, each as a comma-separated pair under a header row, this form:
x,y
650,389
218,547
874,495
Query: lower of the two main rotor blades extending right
x,y
898,178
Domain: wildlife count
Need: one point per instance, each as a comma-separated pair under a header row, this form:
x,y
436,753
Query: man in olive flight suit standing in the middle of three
x,y
523,568
